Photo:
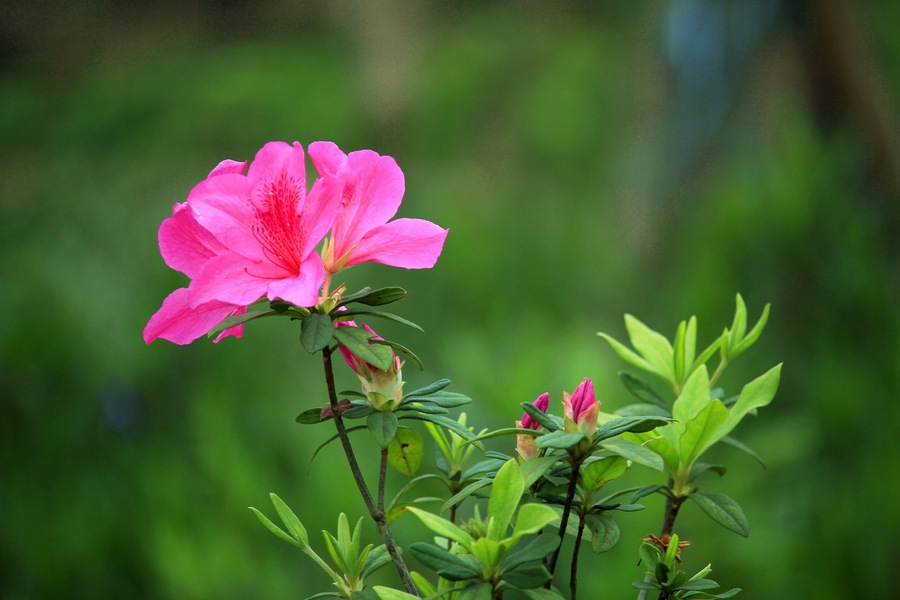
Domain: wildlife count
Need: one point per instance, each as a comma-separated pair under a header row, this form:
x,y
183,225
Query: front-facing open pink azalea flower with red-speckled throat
x,y
270,227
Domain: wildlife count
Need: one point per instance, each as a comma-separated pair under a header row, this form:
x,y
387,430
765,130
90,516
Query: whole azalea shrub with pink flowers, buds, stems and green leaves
x,y
256,241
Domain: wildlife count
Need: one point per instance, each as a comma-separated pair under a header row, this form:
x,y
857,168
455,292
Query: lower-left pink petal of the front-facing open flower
x,y
233,279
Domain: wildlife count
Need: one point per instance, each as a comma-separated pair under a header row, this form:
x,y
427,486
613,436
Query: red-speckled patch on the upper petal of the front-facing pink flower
x,y
278,227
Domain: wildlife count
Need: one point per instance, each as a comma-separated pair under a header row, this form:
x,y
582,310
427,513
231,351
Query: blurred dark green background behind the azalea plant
x,y
589,158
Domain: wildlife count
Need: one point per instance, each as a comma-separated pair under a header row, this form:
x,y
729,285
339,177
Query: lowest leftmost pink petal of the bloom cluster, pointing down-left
x,y
177,322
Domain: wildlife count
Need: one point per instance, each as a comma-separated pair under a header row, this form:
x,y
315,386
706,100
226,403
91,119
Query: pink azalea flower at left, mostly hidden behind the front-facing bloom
x,y
186,246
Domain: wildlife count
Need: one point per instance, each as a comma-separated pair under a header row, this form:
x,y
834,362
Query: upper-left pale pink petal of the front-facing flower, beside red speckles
x,y
221,205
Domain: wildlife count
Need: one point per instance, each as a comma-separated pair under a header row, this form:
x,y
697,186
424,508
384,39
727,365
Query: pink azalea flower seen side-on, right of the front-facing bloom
x,y
373,187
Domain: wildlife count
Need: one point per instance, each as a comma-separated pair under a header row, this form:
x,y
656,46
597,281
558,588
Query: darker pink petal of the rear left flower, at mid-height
x,y
184,244
